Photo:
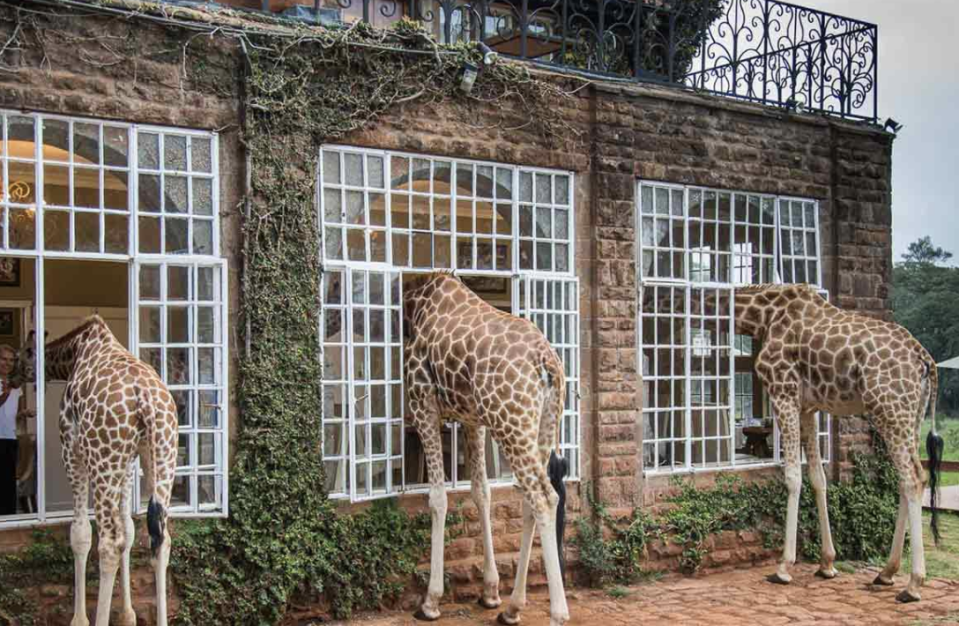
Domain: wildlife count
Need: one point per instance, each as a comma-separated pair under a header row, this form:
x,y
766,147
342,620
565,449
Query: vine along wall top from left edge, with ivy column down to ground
x,y
300,86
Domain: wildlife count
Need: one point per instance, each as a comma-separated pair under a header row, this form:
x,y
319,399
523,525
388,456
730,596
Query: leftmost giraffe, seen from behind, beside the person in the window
x,y
114,408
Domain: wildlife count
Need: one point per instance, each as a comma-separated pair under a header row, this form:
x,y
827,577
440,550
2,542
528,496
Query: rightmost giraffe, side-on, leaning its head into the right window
x,y
817,357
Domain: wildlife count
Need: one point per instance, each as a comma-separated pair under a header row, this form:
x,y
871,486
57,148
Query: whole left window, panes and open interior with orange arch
x,y
92,212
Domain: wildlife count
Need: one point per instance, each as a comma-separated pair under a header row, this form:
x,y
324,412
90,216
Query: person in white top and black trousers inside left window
x,y
12,404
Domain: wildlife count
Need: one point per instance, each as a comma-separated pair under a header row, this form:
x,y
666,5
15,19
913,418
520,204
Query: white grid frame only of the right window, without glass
x,y
685,281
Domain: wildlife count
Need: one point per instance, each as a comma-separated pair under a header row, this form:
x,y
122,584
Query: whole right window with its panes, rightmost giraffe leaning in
x,y
703,405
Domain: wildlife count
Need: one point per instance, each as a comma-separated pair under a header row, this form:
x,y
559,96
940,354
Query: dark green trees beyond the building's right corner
x,y
925,299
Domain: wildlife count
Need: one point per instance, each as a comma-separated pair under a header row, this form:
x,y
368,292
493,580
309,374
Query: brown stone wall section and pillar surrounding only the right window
x,y
664,135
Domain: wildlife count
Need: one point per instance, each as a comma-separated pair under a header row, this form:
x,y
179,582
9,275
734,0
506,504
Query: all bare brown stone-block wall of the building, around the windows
x,y
617,135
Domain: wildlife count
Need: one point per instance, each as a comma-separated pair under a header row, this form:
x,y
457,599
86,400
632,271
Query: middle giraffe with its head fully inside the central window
x,y
487,369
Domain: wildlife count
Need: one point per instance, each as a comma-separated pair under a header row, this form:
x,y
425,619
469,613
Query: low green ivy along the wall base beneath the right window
x,y
862,515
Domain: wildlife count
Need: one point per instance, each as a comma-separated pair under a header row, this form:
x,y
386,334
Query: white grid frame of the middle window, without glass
x,y
515,273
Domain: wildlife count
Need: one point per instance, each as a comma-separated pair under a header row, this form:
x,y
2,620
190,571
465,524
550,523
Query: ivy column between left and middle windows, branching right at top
x,y
283,535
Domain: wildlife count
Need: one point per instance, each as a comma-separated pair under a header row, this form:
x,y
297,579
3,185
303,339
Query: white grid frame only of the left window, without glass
x,y
132,257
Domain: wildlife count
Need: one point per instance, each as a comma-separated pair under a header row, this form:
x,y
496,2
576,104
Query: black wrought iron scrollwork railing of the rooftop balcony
x,y
764,51
